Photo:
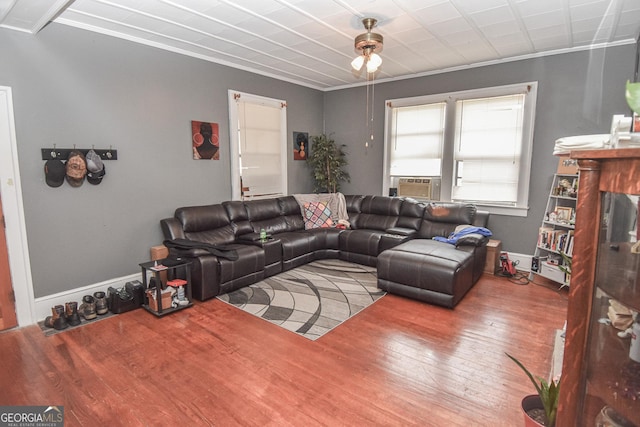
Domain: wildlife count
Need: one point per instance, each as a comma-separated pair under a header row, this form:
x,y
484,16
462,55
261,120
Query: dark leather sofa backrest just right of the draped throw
x,y
377,213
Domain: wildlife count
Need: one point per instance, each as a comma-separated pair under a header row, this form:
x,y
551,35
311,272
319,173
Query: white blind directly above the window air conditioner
x,y
417,140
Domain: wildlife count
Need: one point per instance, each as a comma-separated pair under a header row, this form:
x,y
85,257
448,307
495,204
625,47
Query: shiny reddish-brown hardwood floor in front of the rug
x,y
399,362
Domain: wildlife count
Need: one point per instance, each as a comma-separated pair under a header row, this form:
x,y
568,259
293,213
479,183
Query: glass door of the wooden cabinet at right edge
x,y
612,376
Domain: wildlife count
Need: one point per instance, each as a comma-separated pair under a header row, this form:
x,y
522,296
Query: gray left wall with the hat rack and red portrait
x,y
73,87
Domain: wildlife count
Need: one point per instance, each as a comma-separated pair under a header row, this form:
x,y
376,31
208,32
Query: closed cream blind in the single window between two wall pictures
x,y
260,149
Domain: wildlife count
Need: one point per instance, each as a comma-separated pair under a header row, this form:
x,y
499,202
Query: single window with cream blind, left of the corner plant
x,y
258,146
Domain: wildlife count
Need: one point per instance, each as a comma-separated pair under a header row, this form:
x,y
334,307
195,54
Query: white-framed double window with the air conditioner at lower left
x,y
475,146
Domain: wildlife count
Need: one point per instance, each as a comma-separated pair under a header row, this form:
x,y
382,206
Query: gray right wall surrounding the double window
x,y
568,104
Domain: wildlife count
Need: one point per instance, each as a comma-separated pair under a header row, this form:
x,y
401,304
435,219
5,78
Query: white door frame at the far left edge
x,y
16,231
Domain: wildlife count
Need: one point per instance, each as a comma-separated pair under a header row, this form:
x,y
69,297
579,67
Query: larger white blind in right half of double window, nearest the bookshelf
x,y
488,149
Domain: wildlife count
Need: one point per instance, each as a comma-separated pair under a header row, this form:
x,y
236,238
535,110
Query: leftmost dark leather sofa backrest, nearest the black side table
x,y
208,224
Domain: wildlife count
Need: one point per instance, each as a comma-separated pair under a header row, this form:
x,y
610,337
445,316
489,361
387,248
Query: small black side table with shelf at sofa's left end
x,y
156,268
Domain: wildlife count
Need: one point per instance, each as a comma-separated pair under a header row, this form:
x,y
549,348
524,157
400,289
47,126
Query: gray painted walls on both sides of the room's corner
x,y
75,87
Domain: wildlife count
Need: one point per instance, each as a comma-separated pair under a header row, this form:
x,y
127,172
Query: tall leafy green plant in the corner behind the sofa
x,y
327,161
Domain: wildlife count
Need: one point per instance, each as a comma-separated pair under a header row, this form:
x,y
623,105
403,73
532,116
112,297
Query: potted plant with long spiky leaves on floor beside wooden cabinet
x,y
540,409
